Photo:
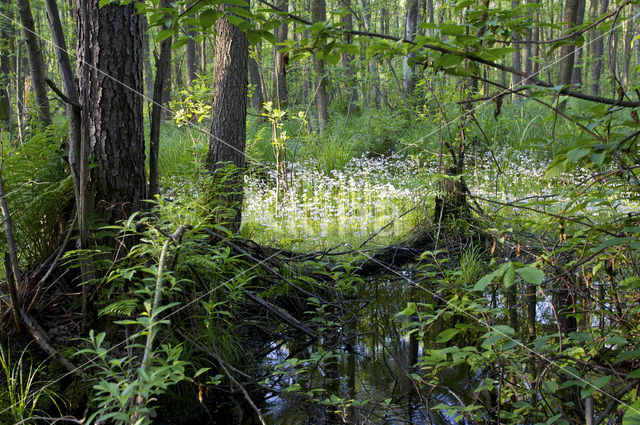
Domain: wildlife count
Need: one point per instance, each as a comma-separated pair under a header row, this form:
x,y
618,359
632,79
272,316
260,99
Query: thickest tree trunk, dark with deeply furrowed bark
x,y
112,82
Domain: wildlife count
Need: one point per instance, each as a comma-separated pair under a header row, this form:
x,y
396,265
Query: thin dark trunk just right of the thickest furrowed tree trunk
x,y
163,68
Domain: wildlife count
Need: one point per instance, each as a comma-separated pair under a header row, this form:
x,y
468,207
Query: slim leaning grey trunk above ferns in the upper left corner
x,y
36,64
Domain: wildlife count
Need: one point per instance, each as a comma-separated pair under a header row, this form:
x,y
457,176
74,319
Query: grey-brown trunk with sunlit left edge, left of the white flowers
x,y
229,109
